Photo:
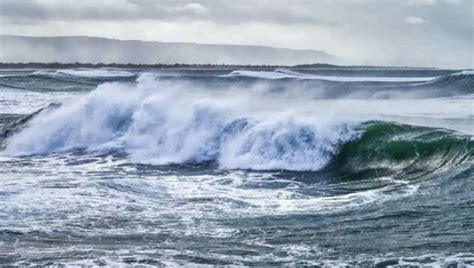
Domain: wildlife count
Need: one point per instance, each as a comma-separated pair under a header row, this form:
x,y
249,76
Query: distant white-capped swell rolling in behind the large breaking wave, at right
x,y
337,84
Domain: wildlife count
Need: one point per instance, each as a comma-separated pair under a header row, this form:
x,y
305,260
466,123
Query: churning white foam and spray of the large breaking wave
x,y
154,122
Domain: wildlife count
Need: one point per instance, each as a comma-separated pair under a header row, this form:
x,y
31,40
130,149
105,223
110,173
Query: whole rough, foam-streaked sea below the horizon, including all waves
x,y
360,166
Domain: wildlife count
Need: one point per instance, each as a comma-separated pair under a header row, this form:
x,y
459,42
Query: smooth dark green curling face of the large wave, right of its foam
x,y
392,149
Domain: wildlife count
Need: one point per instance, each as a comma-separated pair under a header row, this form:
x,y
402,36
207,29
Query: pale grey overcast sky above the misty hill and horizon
x,y
392,32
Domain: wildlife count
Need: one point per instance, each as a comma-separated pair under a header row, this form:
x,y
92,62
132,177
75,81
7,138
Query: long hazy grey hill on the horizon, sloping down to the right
x,y
71,49
